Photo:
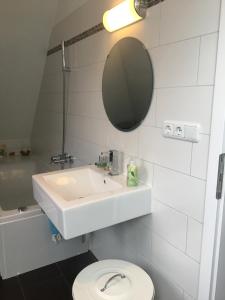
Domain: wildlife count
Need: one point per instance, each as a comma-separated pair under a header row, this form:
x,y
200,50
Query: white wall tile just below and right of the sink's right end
x,y
169,224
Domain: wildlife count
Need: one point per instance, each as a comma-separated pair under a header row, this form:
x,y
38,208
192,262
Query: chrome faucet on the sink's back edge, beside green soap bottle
x,y
115,162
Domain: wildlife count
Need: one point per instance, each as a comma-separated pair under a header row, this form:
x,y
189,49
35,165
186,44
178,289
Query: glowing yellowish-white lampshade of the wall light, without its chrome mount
x,y
120,16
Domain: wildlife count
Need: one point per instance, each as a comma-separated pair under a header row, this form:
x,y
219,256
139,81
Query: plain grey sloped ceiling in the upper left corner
x,y
25,28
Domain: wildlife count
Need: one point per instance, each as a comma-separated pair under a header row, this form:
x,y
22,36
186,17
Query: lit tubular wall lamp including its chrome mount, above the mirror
x,y
126,13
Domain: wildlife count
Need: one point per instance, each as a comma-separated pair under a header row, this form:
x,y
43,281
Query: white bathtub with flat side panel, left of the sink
x,y
25,240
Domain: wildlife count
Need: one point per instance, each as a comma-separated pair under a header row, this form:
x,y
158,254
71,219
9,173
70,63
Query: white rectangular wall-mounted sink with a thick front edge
x,y
85,199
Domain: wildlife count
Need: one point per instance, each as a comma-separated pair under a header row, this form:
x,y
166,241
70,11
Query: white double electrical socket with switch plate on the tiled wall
x,y
182,131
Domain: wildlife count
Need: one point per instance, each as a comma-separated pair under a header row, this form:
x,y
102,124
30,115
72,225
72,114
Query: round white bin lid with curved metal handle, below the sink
x,y
113,280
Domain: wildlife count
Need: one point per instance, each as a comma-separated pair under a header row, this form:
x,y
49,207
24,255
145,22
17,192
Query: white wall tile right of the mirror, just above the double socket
x,y
185,104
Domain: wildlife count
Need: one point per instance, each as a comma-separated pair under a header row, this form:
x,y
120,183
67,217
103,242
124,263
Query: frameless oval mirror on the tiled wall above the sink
x,y
127,84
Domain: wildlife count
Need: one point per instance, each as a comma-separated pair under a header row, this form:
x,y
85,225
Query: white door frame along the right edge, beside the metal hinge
x,y
213,208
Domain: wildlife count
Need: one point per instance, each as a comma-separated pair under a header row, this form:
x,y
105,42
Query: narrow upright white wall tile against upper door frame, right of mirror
x,y
207,63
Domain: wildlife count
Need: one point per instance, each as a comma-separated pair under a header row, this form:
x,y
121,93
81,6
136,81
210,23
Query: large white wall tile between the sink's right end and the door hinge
x,y
183,193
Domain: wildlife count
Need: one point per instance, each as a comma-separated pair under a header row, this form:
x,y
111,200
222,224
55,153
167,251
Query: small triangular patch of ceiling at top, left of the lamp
x,y
66,7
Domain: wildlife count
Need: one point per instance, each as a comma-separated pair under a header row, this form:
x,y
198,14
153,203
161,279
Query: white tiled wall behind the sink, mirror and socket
x,y
181,36
